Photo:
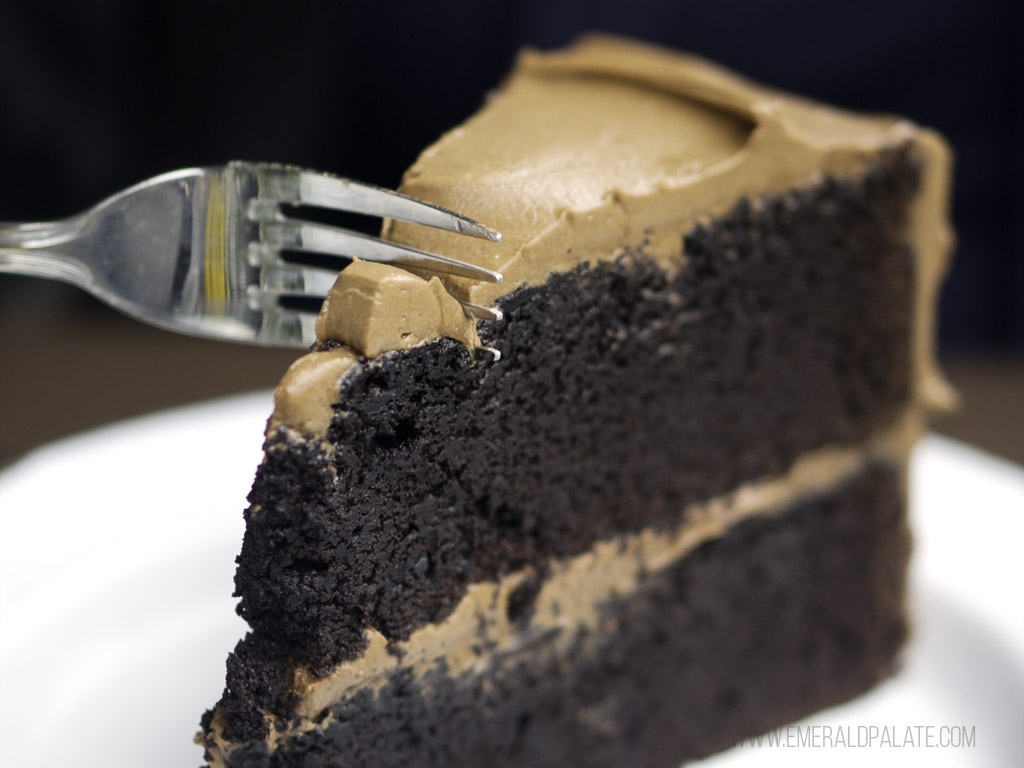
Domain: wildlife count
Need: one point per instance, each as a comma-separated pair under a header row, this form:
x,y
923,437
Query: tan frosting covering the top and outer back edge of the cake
x,y
607,147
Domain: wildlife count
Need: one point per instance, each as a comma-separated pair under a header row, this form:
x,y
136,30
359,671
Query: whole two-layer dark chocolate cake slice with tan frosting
x,y
661,505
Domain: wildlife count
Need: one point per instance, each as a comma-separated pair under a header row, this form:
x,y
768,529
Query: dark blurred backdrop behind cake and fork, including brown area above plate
x,y
96,97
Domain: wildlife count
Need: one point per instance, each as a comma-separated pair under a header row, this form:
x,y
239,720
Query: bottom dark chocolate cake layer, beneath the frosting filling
x,y
783,615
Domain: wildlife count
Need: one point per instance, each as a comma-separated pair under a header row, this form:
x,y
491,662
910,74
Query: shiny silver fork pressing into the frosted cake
x,y
204,251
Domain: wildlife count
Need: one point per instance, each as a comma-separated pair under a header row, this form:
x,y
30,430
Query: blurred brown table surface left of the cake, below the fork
x,y
57,380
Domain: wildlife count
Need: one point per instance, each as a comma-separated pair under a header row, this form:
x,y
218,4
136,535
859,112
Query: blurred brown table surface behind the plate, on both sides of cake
x,y
58,379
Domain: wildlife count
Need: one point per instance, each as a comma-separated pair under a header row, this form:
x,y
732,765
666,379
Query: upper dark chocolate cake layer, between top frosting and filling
x,y
623,393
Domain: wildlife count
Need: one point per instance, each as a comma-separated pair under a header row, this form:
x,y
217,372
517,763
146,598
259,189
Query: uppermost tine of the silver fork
x,y
301,187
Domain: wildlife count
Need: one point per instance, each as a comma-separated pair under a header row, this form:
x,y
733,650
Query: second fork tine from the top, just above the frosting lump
x,y
304,236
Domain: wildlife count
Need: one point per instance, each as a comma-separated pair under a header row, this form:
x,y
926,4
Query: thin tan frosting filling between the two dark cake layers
x,y
573,591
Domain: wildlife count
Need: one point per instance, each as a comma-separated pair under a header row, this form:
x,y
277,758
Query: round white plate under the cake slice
x,y
116,564
